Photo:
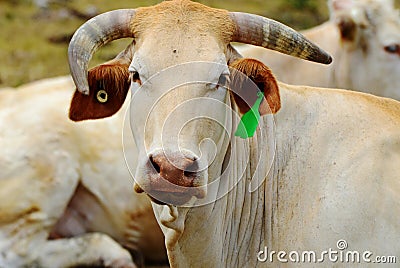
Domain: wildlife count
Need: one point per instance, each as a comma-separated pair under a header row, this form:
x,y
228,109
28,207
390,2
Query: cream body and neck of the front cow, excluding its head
x,y
335,177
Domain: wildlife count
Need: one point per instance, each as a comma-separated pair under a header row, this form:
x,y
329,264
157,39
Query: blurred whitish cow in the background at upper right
x,y
364,39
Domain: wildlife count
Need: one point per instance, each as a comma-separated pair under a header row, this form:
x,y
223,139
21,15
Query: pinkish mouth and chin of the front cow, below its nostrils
x,y
164,193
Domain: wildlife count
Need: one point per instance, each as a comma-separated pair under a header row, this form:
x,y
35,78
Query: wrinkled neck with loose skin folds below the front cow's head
x,y
216,234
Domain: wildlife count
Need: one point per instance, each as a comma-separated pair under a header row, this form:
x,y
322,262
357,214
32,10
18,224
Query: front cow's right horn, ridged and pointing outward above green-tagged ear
x,y
260,31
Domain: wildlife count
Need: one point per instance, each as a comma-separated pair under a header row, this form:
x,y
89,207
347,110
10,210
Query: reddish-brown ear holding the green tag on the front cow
x,y
245,92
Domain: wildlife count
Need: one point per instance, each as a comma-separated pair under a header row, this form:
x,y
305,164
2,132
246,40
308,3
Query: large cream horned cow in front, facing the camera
x,y
319,174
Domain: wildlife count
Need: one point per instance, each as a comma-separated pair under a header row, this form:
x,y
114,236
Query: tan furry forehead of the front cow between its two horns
x,y
168,35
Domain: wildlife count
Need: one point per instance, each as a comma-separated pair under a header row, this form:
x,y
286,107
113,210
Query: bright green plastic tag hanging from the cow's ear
x,y
249,122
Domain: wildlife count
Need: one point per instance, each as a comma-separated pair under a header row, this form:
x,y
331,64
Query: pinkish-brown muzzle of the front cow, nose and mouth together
x,y
172,179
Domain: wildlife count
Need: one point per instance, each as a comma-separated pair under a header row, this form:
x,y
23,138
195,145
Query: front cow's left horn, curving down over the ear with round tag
x,y
93,34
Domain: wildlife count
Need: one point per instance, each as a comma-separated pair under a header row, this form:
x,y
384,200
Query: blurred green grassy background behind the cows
x,y
34,34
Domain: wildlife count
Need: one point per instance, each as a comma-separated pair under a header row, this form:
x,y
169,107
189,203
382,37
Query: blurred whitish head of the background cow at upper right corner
x,y
370,39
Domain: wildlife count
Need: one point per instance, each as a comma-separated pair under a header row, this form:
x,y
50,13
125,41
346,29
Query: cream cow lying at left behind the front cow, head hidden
x,y
66,196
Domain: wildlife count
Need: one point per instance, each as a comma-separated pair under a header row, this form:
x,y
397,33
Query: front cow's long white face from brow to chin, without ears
x,y
180,132
